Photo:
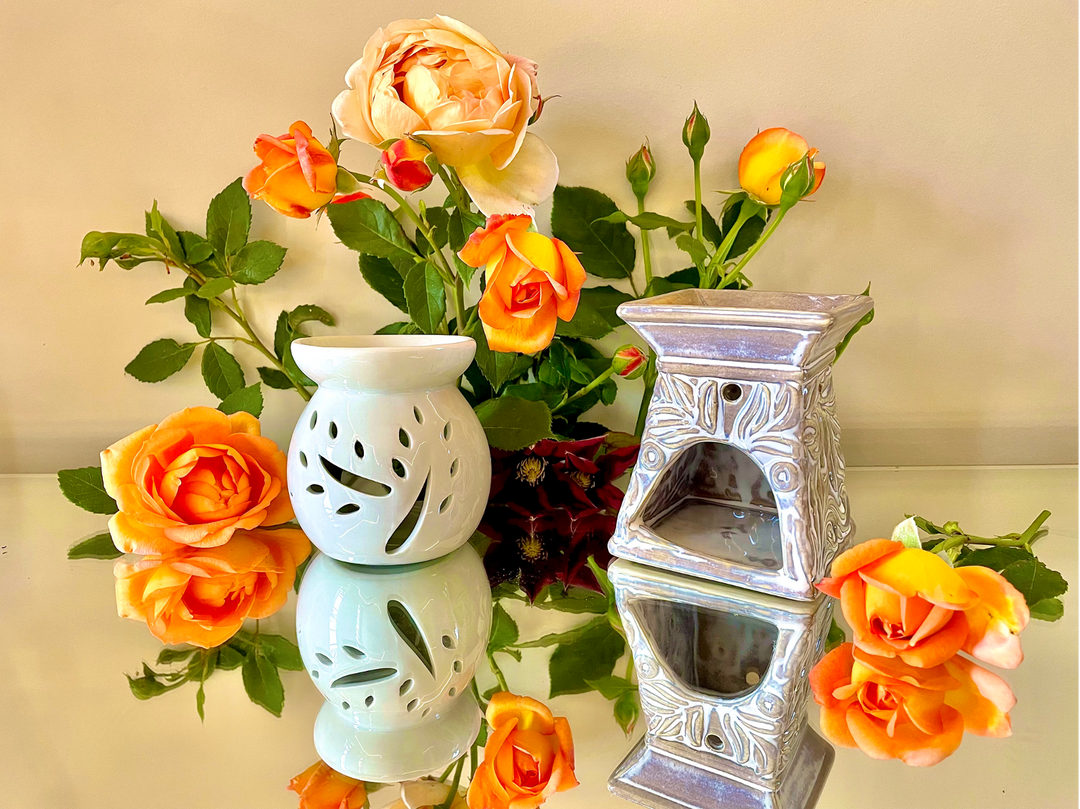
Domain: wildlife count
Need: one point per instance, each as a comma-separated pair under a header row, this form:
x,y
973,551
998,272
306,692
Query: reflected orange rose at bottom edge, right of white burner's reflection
x,y
529,757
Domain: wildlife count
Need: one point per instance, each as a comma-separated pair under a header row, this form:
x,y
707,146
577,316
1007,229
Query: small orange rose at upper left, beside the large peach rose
x,y
298,174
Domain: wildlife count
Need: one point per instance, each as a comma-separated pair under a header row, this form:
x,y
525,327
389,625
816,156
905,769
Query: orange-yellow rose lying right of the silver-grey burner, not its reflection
x,y
909,603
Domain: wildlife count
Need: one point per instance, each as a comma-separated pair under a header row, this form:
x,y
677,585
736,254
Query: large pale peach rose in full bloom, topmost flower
x,y
444,83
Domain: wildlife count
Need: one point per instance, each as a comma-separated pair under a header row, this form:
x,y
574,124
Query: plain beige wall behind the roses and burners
x,y
950,129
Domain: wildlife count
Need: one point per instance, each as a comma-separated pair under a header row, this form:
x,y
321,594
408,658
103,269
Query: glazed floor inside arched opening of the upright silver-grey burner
x,y
715,529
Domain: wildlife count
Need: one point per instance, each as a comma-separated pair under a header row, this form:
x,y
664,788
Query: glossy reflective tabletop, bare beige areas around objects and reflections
x,y
73,736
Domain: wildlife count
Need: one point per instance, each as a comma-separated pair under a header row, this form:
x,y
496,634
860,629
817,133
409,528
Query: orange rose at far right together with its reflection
x,y
902,690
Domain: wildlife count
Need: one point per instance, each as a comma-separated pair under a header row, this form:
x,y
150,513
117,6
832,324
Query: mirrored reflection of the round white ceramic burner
x,y
394,651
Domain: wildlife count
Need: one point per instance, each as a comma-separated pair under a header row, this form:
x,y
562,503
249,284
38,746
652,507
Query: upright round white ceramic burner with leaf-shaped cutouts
x,y
388,465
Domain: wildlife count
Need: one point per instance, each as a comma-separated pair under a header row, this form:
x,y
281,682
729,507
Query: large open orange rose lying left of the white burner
x,y
194,480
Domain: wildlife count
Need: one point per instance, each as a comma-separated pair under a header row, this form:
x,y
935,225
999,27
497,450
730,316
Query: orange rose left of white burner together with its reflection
x,y
197,496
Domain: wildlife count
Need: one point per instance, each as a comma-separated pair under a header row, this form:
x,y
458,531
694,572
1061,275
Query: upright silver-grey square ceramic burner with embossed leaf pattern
x,y
740,477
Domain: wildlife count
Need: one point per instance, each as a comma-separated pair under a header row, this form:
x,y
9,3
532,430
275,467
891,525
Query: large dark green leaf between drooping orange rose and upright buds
x,y
605,249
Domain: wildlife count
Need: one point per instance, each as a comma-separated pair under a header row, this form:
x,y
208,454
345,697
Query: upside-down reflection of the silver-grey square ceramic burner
x,y
723,682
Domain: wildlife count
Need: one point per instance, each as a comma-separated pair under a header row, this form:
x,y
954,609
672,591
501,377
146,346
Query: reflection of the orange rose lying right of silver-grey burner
x,y
892,710
